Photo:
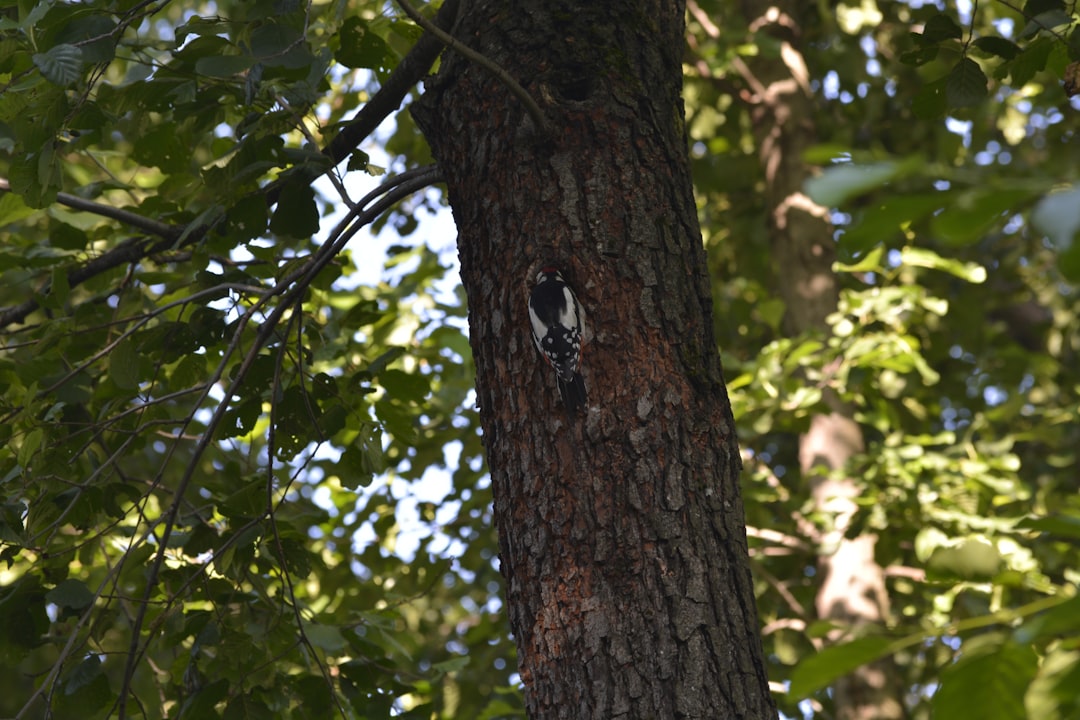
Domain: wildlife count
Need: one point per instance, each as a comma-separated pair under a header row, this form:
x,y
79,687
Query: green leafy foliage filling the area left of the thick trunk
x,y
211,430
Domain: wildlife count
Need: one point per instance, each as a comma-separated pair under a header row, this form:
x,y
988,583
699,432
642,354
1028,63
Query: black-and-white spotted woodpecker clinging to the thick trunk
x,y
558,327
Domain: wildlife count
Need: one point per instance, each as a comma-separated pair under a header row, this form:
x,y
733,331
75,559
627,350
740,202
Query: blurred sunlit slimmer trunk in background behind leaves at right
x,y
853,591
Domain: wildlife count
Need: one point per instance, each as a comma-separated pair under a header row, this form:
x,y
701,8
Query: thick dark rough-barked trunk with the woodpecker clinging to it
x,y
622,533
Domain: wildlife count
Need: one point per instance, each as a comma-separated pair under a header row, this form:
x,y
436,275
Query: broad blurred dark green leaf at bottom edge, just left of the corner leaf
x,y
989,686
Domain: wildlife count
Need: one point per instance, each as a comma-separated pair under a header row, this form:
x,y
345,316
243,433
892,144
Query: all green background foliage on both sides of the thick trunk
x,y
259,469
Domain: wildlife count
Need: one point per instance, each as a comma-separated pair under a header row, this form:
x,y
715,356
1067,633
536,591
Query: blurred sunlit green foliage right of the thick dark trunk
x,y
950,169
